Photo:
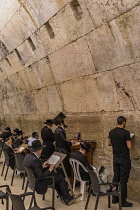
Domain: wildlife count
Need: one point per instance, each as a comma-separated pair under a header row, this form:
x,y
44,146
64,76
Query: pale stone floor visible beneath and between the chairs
x,y
16,188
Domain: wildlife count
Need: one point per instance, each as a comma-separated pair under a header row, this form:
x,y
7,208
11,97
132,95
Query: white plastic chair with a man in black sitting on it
x,y
75,166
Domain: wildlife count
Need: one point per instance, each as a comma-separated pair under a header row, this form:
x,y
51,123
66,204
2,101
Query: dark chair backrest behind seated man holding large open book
x,y
31,178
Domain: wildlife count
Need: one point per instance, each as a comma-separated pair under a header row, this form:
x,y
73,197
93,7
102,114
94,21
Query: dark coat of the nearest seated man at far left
x,y
10,152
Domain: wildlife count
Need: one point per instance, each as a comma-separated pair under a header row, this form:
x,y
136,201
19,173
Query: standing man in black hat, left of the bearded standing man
x,y
48,138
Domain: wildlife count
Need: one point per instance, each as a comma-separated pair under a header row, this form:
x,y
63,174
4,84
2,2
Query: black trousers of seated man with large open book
x,y
60,184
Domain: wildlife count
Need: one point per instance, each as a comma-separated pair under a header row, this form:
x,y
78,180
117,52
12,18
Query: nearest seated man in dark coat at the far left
x,y
9,149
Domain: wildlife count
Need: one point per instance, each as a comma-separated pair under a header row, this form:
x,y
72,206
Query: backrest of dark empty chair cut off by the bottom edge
x,y
17,202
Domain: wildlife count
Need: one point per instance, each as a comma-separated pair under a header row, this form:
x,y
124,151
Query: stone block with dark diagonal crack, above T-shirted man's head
x,y
127,80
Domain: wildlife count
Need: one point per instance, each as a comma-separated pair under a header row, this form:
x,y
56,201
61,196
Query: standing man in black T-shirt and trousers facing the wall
x,y
119,139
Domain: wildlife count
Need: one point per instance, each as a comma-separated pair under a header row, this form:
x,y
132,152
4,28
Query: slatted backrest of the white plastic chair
x,y
75,166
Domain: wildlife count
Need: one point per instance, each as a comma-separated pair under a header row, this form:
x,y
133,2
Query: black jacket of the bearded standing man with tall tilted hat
x,y
61,142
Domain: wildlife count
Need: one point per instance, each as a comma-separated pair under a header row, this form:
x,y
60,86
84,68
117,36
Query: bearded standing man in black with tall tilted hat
x,y
62,144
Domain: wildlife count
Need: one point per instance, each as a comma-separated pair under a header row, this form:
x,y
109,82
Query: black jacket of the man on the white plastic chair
x,y
83,159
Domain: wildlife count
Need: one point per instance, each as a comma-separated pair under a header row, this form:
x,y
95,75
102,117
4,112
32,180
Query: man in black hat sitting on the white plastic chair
x,y
81,157
